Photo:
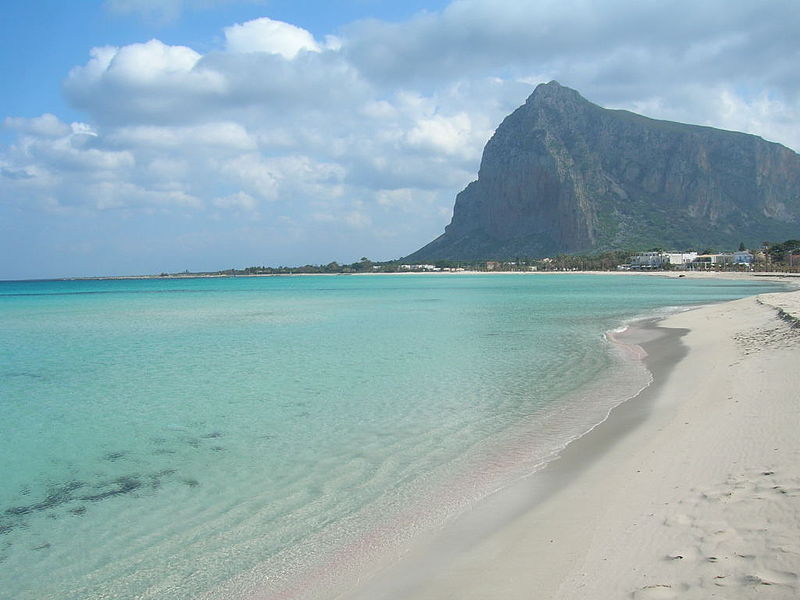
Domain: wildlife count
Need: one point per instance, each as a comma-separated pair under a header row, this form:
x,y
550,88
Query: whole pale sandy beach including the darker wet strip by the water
x,y
691,490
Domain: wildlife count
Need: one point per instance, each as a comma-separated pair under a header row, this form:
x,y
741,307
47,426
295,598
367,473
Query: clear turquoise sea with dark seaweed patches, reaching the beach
x,y
269,437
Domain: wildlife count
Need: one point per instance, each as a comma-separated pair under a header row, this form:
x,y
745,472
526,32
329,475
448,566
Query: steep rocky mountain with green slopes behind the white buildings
x,y
563,175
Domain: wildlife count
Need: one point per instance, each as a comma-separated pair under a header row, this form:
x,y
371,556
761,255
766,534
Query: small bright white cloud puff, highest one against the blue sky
x,y
272,37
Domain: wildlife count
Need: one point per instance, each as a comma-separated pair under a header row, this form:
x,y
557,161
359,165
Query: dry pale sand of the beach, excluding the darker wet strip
x,y
708,506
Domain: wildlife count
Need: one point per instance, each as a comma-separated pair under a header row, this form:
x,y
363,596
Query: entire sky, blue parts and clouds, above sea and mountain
x,y
149,136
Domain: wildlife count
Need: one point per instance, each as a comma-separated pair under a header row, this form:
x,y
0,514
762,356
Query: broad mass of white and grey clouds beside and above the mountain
x,y
374,130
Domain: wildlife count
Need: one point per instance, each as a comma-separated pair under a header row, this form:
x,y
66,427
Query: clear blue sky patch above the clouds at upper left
x,y
41,40
